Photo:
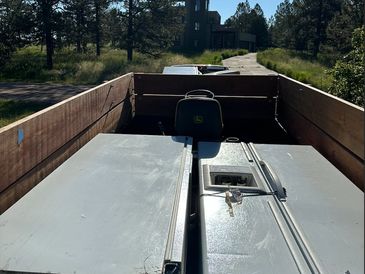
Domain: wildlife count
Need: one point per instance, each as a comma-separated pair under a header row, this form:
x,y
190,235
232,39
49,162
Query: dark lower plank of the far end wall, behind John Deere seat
x,y
232,108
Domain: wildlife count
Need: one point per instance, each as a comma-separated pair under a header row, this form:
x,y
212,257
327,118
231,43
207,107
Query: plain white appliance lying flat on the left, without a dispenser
x,y
113,207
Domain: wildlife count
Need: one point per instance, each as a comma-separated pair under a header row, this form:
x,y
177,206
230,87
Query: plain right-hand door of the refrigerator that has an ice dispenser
x,y
323,204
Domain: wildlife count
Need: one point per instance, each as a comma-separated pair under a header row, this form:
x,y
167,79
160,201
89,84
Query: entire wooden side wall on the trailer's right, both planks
x,y
331,125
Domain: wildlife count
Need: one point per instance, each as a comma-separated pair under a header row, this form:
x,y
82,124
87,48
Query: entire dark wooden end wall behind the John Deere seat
x,y
241,97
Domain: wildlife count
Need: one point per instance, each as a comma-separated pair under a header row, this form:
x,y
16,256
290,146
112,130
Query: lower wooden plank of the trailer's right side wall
x,y
307,133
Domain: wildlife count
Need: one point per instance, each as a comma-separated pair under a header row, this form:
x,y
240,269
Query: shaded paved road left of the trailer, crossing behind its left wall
x,y
45,93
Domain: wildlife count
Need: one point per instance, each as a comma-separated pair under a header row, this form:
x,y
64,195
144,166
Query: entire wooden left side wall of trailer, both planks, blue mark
x,y
54,134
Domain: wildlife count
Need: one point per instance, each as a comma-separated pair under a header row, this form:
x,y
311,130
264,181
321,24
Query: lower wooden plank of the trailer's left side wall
x,y
18,189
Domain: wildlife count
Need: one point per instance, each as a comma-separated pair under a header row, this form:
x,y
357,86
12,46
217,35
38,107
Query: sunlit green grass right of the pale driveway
x,y
296,65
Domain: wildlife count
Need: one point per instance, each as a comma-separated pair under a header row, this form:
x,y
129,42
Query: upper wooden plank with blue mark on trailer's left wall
x,y
48,130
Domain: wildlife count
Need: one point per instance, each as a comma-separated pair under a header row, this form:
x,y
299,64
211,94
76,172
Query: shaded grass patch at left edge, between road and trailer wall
x,y
11,110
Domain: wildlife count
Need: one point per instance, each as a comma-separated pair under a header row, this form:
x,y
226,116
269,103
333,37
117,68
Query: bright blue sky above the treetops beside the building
x,y
227,8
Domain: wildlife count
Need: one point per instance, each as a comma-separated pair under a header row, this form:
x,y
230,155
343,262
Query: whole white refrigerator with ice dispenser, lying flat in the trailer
x,y
277,209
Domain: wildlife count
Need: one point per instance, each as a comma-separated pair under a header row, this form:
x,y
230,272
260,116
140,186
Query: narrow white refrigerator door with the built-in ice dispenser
x,y
241,235
